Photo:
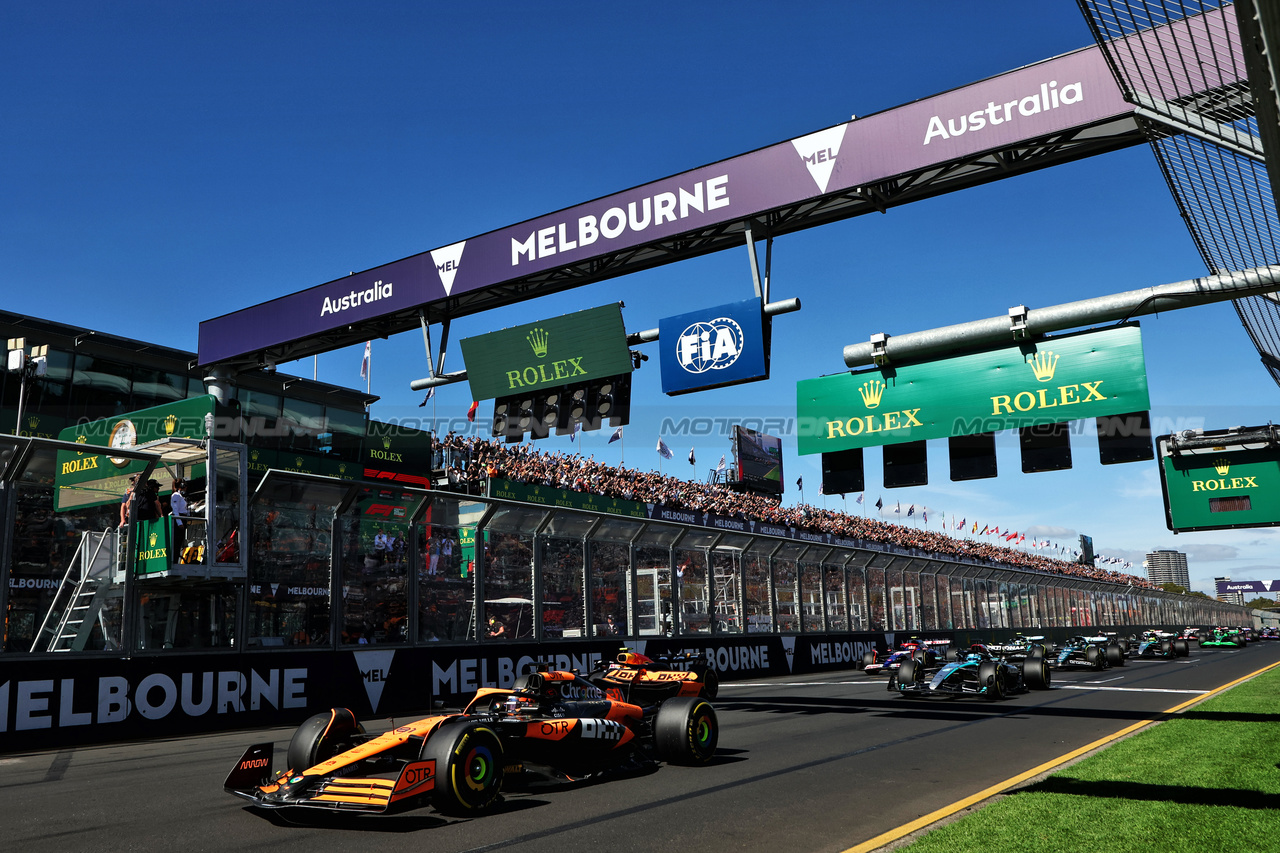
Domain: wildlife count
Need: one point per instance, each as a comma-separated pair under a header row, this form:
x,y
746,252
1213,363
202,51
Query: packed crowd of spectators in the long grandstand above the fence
x,y
472,462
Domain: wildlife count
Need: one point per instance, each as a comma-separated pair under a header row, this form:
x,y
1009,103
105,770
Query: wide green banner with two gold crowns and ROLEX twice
x,y
1090,375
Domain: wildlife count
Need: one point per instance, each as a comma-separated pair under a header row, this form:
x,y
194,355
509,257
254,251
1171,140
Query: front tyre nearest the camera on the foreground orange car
x,y
469,767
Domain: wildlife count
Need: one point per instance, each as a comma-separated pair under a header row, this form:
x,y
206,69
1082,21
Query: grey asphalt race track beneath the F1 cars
x,y
813,764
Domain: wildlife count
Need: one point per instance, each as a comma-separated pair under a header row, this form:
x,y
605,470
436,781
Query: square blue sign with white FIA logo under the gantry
x,y
714,348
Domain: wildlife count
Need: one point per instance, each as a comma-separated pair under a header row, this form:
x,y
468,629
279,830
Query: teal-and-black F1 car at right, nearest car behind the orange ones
x,y
980,673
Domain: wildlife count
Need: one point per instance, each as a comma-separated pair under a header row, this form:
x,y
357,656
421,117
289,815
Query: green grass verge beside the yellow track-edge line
x,y
1204,782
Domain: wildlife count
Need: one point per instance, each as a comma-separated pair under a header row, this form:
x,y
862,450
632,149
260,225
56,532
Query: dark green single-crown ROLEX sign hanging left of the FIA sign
x,y
560,352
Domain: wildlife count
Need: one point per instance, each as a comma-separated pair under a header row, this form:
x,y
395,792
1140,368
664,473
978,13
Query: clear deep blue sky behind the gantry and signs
x,y
164,163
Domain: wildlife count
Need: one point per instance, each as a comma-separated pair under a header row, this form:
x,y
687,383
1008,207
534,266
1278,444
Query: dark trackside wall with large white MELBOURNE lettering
x,y
74,701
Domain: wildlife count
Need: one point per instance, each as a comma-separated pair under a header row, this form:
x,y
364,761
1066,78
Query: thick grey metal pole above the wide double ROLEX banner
x,y
1037,322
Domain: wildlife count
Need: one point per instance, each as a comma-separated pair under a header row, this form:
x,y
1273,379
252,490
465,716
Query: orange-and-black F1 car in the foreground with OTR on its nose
x,y
551,724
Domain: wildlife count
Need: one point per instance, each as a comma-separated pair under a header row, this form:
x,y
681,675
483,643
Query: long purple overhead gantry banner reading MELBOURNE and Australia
x,y
1053,97
